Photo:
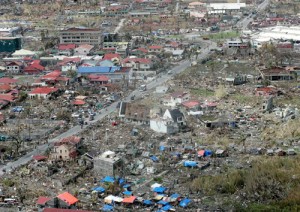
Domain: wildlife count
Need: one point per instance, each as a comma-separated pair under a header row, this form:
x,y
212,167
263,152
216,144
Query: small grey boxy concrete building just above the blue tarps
x,y
107,164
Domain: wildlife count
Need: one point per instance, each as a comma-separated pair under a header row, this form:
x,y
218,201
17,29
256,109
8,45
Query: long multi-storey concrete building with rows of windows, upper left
x,y
80,36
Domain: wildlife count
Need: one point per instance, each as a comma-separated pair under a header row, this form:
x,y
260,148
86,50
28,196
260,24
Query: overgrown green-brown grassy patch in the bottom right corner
x,y
271,184
